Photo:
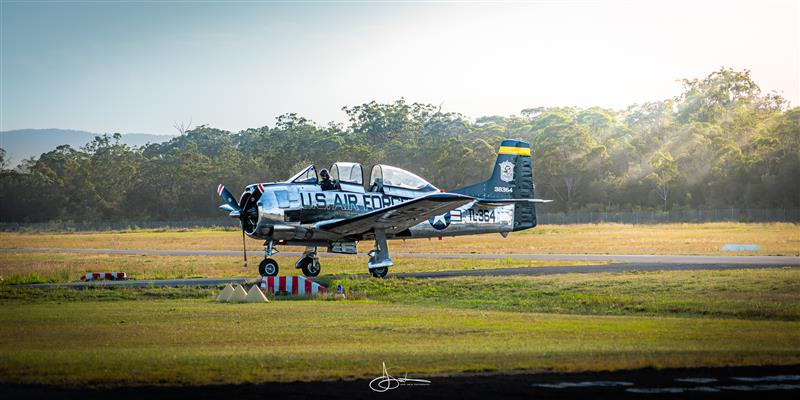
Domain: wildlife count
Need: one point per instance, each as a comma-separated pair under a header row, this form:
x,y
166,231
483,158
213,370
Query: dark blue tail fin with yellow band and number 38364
x,y
512,178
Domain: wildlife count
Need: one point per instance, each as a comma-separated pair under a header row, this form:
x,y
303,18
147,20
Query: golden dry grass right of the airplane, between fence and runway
x,y
684,239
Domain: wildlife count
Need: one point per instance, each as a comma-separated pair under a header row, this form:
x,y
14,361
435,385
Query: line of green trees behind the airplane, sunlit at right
x,y
719,143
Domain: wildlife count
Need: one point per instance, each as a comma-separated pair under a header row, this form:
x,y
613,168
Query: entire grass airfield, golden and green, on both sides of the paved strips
x,y
567,322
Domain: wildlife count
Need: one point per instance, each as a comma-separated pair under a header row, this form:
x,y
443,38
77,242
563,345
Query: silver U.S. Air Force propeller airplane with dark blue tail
x,y
396,204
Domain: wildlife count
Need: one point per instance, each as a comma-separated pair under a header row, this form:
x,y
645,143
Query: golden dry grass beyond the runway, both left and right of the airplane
x,y
700,239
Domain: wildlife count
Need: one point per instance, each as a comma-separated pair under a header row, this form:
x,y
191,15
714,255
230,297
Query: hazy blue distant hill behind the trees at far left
x,y
23,143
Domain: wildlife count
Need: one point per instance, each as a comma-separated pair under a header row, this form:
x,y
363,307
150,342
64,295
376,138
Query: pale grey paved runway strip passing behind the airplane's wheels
x,y
620,258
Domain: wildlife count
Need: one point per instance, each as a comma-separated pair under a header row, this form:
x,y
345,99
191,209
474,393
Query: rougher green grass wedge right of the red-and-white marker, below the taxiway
x,y
741,293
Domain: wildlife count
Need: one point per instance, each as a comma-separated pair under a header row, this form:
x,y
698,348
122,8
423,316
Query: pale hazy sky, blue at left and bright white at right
x,y
137,66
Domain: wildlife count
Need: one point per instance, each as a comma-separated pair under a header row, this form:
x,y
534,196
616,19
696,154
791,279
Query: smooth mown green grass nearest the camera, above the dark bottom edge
x,y
197,342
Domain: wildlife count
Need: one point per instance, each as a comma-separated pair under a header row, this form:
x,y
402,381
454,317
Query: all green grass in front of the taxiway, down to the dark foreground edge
x,y
444,326
